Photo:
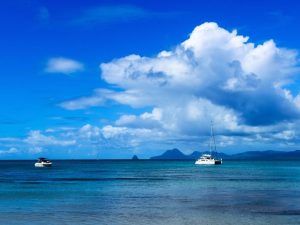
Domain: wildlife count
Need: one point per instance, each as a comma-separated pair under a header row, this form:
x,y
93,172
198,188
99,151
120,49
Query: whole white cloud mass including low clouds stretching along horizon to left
x,y
213,75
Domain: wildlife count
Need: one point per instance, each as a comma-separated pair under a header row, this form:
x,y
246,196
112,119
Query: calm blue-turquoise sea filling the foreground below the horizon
x,y
150,192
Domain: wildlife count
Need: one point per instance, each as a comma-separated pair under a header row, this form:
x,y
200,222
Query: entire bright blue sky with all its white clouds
x,y
110,79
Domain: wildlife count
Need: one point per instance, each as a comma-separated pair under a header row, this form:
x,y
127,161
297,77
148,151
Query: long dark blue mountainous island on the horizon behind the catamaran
x,y
175,154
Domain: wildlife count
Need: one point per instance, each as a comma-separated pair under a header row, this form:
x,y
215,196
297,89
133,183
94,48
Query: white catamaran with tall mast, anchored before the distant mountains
x,y
208,159
